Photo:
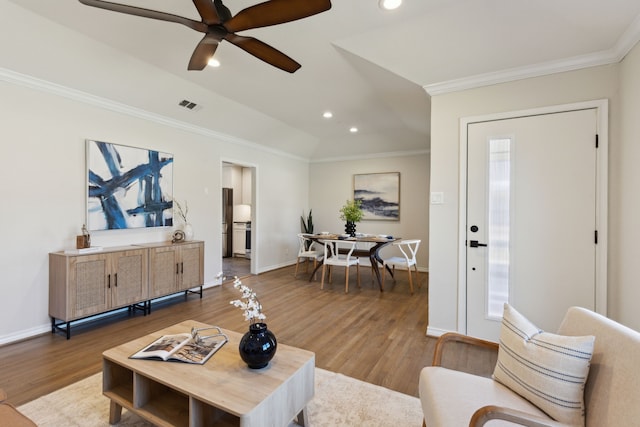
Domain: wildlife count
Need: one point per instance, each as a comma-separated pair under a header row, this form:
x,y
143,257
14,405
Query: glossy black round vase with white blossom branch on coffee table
x,y
258,346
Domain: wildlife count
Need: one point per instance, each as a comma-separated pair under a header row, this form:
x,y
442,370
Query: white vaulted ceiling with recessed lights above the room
x,y
368,66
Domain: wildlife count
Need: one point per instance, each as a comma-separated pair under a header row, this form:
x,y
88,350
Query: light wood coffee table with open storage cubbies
x,y
223,391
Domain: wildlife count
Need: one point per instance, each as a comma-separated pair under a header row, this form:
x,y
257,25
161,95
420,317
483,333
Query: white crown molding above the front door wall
x,y
614,55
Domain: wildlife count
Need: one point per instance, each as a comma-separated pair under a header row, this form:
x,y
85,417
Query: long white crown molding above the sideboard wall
x,y
31,82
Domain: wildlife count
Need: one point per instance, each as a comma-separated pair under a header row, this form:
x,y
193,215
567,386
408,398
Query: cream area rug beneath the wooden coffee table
x,y
339,401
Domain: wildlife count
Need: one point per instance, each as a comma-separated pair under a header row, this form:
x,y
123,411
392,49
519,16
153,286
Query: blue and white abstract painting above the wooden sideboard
x,y
128,187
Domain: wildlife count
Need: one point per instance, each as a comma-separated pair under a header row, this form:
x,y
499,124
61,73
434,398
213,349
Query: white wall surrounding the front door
x,y
448,109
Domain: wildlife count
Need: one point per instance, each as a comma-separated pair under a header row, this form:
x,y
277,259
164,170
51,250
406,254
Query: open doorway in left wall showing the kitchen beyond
x,y
238,227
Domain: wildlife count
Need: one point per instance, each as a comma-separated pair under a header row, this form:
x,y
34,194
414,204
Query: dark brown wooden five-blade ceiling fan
x,y
218,24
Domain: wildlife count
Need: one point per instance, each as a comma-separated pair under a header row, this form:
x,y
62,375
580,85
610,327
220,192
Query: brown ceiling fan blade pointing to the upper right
x,y
275,12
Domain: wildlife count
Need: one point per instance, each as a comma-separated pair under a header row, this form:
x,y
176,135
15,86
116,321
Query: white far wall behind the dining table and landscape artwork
x,y
331,184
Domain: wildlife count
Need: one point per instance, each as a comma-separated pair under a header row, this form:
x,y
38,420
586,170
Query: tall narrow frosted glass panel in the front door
x,y
499,199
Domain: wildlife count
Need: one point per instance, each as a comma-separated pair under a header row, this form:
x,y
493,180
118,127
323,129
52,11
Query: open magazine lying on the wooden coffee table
x,y
186,348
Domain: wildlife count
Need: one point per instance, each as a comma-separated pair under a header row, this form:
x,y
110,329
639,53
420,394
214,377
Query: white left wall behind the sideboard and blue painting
x,y
44,186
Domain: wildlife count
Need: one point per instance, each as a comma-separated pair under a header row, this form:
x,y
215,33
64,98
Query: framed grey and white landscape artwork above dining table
x,y
380,195
